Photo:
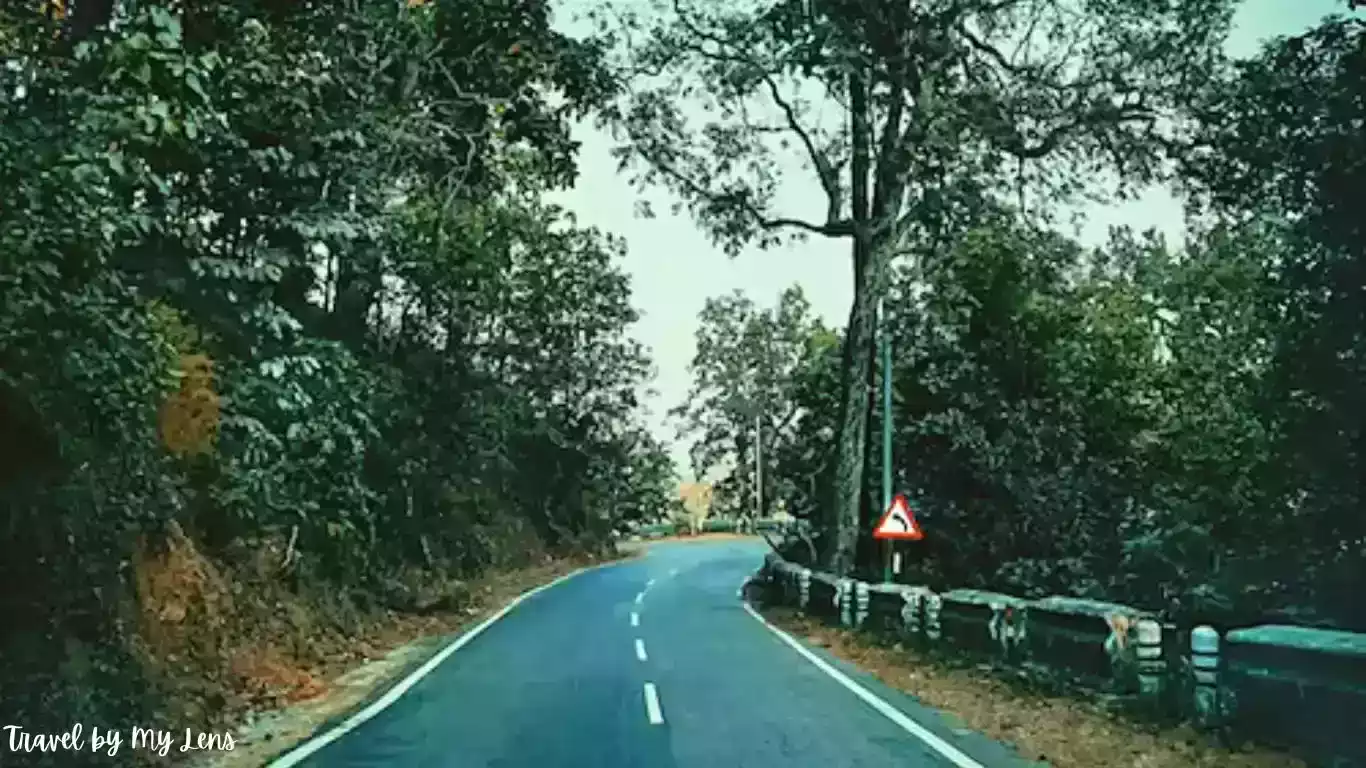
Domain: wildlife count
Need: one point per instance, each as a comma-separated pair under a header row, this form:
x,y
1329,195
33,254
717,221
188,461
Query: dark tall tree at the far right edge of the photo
x,y
1282,146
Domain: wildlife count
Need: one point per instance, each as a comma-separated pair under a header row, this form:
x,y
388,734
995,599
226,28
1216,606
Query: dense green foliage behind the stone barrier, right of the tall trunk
x,y
1181,428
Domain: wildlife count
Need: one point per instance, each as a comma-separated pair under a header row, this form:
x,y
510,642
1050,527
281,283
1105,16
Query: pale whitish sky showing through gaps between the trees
x,y
674,270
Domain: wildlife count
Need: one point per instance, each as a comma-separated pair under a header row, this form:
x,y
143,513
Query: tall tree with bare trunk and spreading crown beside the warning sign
x,y
935,103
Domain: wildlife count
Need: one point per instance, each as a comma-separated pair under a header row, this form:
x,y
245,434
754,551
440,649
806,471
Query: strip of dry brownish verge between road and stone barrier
x,y
1062,732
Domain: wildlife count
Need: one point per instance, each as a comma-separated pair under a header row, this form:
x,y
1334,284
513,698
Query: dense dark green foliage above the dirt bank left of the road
x,y
282,270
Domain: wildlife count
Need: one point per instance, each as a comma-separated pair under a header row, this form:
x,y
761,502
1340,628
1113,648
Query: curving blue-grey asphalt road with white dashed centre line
x,y
652,663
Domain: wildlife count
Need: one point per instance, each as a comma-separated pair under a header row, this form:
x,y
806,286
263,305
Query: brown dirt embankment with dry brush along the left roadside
x,y
242,646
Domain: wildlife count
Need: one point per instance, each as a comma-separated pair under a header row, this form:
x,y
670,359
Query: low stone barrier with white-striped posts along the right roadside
x,y
1296,688
